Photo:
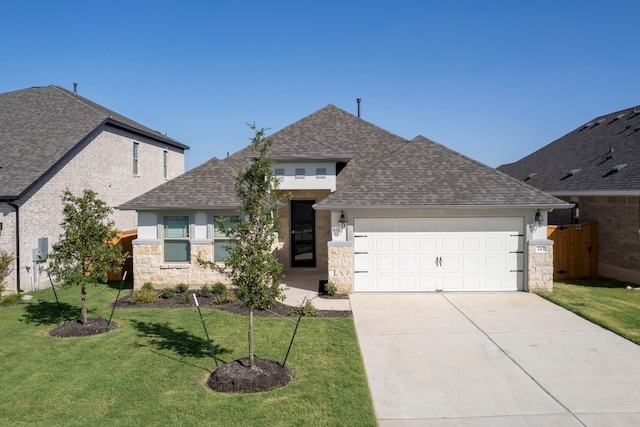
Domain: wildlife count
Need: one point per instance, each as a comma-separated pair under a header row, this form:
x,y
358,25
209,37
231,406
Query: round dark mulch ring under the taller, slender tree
x,y
238,377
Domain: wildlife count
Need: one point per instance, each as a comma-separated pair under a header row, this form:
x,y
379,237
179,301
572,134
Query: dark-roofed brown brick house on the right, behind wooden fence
x,y
597,167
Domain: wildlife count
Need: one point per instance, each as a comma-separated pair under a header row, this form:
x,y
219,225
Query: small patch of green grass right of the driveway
x,y
605,302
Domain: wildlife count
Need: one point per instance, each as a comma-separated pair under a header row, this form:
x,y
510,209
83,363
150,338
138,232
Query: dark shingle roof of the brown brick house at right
x,y
600,157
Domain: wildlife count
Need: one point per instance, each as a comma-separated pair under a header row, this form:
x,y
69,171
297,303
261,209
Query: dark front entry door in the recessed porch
x,y
303,233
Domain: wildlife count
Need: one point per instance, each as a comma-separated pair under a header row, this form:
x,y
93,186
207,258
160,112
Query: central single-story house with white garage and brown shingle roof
x,y
369,210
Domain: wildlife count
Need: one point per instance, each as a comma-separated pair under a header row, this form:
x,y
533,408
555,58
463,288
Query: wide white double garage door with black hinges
x,y
433,254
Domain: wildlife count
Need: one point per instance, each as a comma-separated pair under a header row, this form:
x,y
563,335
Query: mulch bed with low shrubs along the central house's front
x,y
279,309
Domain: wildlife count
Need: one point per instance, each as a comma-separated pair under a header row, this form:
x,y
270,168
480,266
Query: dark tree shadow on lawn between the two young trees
x,y
164,337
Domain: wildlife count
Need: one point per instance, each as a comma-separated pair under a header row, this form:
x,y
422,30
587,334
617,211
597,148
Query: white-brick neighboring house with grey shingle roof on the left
x,y
52,139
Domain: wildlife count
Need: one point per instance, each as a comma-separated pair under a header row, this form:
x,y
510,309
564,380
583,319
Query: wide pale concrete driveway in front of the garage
x,y
493,359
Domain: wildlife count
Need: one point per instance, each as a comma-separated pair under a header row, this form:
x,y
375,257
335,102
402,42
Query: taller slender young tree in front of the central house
x,y
251,265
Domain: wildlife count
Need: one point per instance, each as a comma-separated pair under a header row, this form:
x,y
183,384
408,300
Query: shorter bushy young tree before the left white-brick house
x,y
85,252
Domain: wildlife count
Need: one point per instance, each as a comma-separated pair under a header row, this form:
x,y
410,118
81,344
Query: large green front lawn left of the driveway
x,y
152,370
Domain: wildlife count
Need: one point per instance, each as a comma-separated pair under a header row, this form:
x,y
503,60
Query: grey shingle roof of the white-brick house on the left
x,y
40,126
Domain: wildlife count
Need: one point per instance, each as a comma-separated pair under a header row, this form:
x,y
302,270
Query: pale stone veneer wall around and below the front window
x,y
149,267
